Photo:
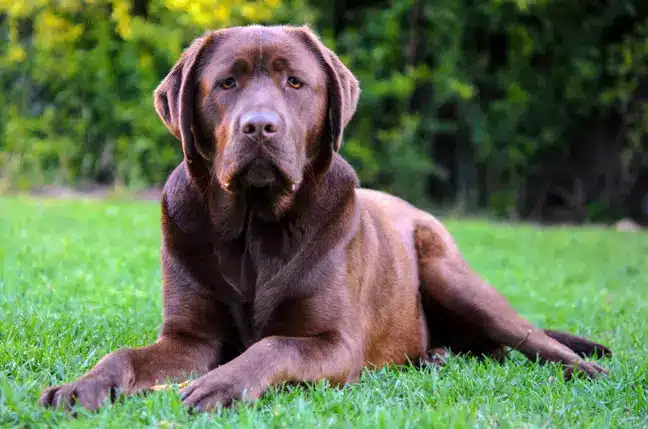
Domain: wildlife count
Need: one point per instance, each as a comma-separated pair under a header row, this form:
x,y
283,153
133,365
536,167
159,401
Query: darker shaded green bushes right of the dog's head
x,y
492,102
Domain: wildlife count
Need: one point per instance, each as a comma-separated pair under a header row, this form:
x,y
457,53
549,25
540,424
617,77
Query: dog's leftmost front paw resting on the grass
x,y
90,393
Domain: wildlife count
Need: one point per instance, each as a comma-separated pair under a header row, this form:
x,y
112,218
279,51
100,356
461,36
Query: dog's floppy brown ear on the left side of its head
x,y
174,97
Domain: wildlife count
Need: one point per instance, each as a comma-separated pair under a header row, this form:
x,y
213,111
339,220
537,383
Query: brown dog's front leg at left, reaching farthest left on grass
x,y
190,342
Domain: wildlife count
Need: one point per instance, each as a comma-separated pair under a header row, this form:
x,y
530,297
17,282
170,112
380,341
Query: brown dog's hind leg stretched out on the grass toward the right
x,y
448,281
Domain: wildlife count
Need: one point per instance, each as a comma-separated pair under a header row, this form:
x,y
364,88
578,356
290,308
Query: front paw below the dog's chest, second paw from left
x,y
219,388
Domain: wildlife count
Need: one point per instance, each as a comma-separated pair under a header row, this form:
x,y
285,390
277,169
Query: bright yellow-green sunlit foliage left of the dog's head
x,y
77,80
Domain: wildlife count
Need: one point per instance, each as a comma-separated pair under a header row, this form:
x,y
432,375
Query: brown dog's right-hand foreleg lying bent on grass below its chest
x,y
273,361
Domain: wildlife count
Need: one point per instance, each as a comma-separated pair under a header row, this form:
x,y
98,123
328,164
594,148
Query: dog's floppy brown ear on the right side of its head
x,y
343,87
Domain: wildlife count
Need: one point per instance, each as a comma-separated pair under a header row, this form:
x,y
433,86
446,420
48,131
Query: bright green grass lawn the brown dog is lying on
x,y
80,279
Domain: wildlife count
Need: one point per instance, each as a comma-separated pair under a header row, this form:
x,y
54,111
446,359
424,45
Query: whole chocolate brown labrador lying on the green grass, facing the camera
x,y
276,266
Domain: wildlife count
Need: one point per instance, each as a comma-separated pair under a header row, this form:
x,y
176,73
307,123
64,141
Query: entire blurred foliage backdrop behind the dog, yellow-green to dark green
x,y
481,103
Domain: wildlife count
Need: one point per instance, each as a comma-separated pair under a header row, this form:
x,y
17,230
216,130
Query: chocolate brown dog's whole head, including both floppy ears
x,y
265,106
